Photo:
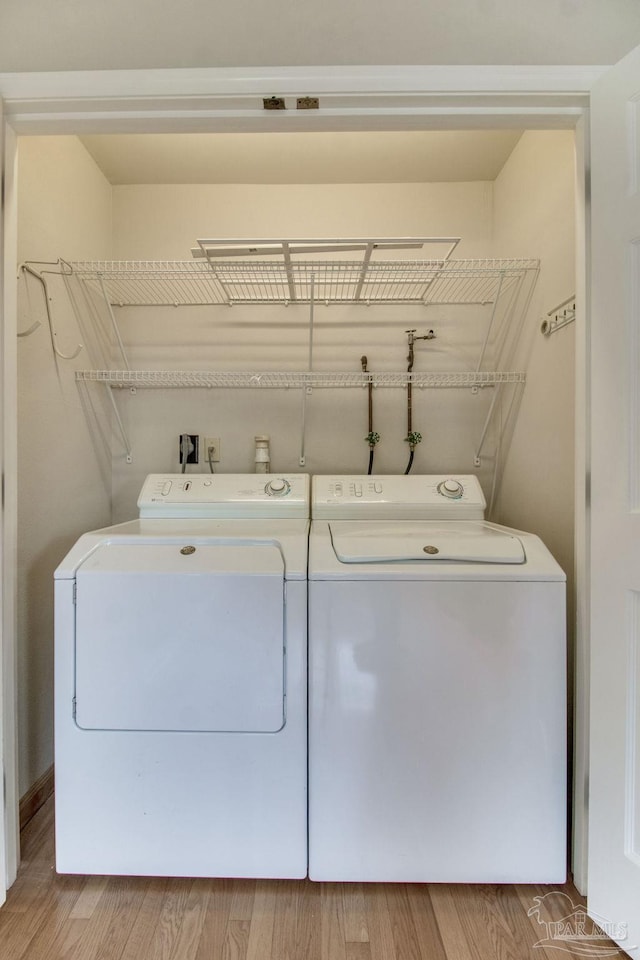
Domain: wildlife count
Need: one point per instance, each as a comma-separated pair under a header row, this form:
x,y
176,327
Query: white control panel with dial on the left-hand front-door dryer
x,y
220,495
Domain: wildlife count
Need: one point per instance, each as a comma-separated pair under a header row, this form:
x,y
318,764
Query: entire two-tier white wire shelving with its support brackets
x,y
313,272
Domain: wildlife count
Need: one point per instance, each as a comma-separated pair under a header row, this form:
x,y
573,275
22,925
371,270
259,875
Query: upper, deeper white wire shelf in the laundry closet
x,y
199,283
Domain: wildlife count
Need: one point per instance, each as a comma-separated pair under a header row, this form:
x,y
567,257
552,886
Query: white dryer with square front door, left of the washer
x,y
181,684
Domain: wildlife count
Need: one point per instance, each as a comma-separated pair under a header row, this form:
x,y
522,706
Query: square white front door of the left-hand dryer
x,y
180,637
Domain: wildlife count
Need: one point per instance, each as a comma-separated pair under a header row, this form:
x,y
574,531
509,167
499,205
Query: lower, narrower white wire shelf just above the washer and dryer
x,y
284,380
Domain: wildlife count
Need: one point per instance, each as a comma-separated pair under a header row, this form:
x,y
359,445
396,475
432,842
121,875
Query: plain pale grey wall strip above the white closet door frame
x,y
38,35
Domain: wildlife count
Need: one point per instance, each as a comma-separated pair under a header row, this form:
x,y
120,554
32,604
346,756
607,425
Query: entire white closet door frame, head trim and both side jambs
x,y
352,98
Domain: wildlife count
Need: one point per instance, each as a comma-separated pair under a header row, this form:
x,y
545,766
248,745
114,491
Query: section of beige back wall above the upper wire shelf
x,y
164,221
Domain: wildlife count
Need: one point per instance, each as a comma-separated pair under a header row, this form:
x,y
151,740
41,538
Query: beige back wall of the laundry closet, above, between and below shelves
x,y
164,222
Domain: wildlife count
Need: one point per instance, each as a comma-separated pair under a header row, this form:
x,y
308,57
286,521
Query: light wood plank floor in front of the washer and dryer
x,y
50,917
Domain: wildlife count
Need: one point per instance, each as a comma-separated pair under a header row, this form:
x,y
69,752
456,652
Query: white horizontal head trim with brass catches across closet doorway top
x,y
354,98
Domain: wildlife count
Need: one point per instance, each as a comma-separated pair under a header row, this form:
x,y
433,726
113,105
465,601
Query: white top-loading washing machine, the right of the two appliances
x,y
437,697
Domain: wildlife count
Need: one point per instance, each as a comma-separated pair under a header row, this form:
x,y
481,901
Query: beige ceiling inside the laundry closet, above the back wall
x,y
343,157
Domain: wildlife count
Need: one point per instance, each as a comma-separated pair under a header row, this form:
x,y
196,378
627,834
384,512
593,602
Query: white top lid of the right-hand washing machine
x,y
360,542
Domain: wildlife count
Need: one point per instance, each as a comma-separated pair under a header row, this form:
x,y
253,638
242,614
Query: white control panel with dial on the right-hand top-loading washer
x,y
415,497
